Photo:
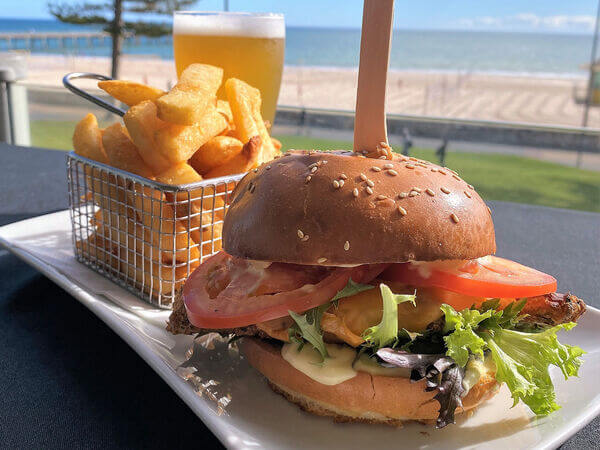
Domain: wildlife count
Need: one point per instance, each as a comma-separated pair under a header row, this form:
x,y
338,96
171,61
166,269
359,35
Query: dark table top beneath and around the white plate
x,y
62,368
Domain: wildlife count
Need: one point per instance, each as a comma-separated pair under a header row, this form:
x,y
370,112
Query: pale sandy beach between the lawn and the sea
x,y
535,99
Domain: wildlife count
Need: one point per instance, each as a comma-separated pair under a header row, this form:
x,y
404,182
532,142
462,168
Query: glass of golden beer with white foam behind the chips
x,y
247,46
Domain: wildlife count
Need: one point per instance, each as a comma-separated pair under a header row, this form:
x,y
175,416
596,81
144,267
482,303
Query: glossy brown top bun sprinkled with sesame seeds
x,y
335,208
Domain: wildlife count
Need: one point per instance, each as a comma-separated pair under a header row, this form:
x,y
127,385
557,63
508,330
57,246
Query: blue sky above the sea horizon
x,y
501,15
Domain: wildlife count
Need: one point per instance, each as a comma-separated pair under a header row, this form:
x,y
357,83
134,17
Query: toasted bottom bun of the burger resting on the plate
x,y
364,398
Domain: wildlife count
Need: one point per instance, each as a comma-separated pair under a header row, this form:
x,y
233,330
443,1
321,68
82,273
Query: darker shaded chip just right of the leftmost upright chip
x,y
122,153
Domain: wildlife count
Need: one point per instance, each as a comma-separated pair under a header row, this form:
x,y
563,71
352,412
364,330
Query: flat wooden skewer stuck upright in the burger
x,y
370,127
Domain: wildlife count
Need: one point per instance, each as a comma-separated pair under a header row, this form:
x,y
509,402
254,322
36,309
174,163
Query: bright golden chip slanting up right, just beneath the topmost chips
x,y
178,143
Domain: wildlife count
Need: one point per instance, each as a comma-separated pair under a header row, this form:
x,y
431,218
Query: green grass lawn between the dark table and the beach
x,y
495,176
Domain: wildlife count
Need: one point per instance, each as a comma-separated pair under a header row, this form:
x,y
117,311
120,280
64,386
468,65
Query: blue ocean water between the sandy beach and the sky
x,y
467,51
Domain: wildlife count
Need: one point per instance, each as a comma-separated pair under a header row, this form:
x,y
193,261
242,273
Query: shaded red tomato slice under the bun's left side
x,y
228,292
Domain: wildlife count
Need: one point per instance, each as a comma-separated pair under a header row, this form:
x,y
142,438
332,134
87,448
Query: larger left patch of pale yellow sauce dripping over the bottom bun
x,y
334,370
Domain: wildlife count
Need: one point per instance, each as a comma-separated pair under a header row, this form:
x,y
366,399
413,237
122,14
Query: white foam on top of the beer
x,y
270,26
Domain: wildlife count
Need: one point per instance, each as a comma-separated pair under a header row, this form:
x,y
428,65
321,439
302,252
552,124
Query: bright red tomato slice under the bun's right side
x,y
487,277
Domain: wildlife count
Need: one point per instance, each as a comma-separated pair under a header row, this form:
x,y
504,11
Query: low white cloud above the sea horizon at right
x,y
521,21
